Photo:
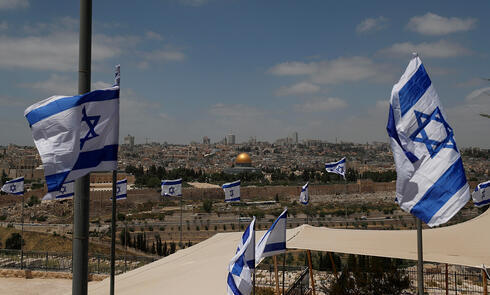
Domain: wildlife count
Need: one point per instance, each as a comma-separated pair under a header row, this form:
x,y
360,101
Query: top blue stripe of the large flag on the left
x,y
66,103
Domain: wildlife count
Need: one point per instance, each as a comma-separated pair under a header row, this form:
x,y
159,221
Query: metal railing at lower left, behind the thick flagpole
x,y
49,261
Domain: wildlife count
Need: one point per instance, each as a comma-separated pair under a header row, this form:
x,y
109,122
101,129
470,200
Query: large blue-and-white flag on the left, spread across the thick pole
x,y
76,135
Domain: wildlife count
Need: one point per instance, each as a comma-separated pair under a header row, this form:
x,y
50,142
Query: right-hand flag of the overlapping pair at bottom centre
x,y
274,240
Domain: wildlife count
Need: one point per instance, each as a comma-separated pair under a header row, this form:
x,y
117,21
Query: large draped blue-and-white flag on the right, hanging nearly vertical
x,y
431,182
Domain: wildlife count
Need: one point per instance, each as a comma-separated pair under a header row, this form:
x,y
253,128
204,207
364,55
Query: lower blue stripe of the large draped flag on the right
x,y
440,192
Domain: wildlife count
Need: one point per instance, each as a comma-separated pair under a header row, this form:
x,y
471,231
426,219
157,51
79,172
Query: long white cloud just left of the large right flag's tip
x,y
340,70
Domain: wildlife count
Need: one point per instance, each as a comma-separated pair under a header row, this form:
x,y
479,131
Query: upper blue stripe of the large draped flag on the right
x,y
413,89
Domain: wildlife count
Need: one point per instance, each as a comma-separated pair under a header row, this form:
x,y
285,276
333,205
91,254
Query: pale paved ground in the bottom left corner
x,y
20,286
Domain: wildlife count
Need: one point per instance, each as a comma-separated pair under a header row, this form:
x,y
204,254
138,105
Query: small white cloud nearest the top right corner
x,y
435,25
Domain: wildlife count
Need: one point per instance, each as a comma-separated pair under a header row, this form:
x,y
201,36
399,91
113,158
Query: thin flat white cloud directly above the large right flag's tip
x,y
439,49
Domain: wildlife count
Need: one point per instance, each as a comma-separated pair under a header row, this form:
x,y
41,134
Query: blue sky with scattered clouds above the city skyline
x,y
194,68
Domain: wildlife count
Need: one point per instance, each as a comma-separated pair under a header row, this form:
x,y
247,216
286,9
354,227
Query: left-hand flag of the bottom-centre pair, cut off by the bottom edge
x,y
241,266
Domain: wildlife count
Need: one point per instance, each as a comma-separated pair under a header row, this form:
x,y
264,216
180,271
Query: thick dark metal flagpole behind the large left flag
x,y
81,204
